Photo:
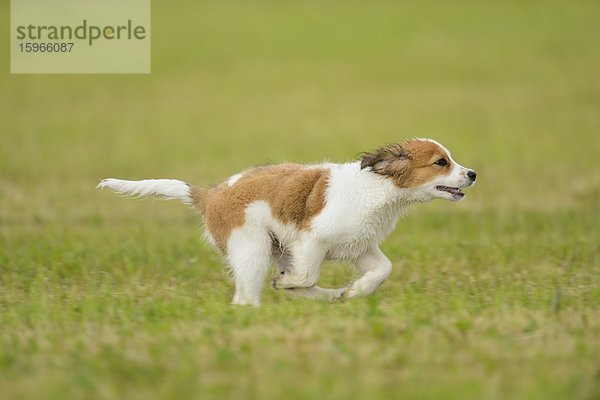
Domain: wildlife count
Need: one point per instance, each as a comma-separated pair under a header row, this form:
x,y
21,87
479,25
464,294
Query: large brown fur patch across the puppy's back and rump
x,y
294,192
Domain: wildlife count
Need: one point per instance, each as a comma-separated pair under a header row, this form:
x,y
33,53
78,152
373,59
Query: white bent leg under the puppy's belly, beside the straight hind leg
x,y
307,257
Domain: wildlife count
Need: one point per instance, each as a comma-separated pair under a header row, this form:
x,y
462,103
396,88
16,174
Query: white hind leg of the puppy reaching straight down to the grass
x,y
249,255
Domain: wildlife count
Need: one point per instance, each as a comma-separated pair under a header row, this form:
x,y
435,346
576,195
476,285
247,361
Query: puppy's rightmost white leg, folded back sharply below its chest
x,y
376,267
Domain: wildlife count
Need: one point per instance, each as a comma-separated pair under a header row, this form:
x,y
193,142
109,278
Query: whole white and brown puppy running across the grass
x,y
298,216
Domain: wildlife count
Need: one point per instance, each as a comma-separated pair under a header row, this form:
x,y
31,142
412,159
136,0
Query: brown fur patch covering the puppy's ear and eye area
x,y
408,164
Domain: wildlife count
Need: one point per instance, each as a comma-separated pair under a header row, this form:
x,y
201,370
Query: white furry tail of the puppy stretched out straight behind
x,y
169,189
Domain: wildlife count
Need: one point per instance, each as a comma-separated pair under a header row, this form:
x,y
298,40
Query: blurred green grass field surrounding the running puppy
x,y
496,297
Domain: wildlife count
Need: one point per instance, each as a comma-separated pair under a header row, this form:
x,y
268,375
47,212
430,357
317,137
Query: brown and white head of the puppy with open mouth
x,y
423,165
